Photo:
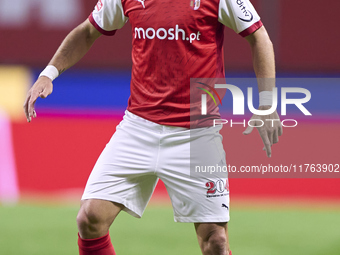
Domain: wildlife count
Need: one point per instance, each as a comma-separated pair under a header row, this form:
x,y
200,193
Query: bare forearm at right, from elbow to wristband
x,y
263,59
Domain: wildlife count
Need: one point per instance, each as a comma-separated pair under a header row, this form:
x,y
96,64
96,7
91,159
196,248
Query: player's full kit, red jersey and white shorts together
x,y
172,41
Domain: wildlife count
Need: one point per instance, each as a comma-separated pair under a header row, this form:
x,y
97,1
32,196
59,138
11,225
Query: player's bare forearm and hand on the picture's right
x,y
264,66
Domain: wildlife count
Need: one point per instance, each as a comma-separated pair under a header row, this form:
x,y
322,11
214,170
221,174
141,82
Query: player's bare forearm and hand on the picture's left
x,y
73,48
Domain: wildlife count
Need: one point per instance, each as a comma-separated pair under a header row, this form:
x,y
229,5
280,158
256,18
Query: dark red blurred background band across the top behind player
x,y
305,35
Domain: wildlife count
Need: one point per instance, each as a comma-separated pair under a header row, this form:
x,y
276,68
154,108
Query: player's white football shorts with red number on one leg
x,y
141,152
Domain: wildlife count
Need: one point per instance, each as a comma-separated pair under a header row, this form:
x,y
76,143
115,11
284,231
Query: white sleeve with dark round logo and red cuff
x,y
239,15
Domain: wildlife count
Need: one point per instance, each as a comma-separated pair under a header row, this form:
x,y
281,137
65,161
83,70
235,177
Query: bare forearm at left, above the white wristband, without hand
x,y
75,46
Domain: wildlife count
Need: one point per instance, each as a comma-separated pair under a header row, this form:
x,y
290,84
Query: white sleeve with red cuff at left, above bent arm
x,y
108,16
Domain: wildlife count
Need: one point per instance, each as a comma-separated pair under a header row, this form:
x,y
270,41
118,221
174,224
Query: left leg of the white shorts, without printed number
x,y
124,171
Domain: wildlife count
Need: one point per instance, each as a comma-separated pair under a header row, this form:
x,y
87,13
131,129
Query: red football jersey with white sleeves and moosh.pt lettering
x,y
173,41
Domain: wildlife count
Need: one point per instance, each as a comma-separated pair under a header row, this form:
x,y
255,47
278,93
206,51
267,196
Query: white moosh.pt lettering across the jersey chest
x,y
170,34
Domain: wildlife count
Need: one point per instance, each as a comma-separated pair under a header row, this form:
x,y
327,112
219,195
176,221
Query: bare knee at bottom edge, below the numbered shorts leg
x,y
216,243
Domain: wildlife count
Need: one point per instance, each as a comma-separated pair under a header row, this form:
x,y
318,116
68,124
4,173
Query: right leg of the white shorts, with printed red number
x,y
200,197
